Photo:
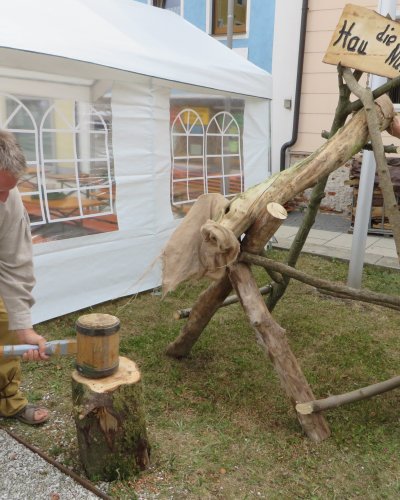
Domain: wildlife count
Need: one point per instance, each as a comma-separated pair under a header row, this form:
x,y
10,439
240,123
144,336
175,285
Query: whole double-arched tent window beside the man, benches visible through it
x,y
68,187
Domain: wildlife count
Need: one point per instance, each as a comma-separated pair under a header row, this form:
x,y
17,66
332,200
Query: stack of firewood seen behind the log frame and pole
x,y
379,222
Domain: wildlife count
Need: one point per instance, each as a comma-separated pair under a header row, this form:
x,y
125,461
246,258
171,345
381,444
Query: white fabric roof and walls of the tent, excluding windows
x,y
71,49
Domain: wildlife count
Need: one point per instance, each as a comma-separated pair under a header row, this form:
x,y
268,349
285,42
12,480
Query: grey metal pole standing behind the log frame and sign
x,y
366,186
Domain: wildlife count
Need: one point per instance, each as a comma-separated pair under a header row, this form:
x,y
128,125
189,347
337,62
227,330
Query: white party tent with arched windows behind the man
x,y
133,57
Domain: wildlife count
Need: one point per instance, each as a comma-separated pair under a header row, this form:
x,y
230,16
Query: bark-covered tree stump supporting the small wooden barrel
x,y
110,423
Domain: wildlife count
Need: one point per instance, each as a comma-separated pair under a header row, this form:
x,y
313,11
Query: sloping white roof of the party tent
x,y
121,35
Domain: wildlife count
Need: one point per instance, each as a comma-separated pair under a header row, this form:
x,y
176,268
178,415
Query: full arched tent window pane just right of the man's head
x,y
76,172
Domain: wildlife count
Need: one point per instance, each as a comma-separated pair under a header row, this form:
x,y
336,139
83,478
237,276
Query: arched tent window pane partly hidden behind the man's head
x,y
18,119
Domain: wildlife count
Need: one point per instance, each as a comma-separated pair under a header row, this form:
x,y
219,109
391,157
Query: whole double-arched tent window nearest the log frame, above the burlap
x,y
206,144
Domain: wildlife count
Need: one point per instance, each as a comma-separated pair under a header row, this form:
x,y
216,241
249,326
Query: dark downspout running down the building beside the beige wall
x,y
299,78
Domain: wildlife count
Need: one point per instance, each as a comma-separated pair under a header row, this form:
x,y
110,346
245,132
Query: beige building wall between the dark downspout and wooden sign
x,y
319,85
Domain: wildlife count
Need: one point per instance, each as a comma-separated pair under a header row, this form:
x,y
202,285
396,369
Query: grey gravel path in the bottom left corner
x,y
24,474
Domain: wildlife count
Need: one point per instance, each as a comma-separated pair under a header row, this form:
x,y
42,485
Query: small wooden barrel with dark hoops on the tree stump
x,y
97,345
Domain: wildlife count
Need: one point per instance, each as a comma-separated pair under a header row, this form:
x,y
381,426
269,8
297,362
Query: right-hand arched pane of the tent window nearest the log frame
x,y
224,173
